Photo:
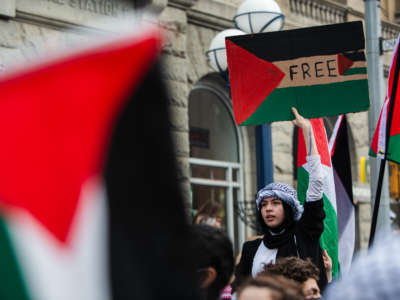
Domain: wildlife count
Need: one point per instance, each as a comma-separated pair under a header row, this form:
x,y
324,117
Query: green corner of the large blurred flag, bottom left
x,y
12,286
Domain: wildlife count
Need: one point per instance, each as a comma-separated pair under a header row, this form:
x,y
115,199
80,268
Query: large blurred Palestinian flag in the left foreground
x,y
90,207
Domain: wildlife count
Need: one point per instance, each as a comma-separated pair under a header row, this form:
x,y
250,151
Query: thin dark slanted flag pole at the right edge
x,y
383,162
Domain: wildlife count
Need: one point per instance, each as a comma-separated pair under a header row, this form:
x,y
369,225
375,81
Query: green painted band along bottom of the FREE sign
x,y
336,96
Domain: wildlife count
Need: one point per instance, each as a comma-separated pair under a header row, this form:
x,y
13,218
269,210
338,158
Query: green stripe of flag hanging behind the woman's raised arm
x,y
330,237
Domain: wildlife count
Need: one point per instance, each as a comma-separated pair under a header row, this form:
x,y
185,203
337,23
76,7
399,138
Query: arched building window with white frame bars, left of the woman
x,y
215,155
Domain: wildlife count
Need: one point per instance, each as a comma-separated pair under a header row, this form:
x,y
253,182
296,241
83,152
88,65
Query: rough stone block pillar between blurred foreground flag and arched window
x,y
174,20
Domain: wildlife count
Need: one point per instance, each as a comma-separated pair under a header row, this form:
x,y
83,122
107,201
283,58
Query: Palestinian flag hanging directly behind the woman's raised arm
x,y
329,238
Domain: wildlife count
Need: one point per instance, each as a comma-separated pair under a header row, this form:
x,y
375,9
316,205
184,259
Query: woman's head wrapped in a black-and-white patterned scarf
x,y
277,206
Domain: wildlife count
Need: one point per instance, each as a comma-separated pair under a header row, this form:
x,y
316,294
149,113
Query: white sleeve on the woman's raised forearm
x,y
316,179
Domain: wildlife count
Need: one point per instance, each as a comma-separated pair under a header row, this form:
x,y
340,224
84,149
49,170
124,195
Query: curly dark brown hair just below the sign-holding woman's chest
x,y
293,268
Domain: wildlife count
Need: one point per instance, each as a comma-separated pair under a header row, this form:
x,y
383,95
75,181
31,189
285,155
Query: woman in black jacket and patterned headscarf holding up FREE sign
x,y
289,228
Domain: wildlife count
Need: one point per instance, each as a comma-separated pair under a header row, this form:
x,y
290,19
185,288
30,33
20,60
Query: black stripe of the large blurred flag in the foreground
x,y
148,231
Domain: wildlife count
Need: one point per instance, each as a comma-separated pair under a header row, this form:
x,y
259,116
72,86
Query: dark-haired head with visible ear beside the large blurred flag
x,y
214,259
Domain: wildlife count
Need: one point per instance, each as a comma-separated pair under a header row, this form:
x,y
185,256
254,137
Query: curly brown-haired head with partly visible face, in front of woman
x,y
299,270
